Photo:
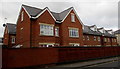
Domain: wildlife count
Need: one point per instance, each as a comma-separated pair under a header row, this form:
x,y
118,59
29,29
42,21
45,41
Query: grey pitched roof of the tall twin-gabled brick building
x,y
33,12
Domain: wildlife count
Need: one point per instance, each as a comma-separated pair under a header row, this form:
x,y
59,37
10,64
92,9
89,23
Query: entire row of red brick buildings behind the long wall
x,y
44,28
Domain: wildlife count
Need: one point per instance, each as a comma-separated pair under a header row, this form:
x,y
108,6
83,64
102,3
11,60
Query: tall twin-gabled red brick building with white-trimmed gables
x,y
42,28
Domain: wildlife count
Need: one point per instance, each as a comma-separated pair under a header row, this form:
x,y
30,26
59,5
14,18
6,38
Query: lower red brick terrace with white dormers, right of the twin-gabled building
x,y
93,36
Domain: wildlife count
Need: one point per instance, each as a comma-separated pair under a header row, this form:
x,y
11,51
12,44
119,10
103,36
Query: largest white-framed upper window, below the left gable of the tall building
x,y
46,30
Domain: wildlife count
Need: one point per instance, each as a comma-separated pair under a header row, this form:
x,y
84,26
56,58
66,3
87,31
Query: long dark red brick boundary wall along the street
x,y
23,57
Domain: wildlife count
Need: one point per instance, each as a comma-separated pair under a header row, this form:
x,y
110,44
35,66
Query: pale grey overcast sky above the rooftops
x,y
103,13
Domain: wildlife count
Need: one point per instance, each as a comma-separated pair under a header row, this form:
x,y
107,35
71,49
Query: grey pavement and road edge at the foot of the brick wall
x,y
92,63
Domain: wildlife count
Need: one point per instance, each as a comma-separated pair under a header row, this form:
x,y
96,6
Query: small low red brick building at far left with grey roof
x,y
9,35
